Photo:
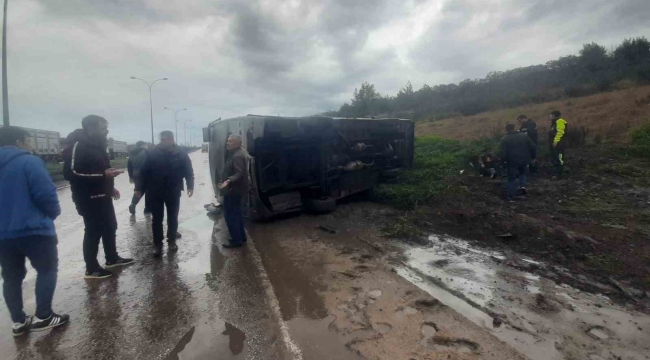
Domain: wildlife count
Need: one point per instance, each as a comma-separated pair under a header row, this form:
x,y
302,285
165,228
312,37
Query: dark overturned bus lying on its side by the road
x,y
310,162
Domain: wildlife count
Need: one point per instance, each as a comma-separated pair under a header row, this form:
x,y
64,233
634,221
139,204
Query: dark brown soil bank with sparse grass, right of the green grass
x,y
593,225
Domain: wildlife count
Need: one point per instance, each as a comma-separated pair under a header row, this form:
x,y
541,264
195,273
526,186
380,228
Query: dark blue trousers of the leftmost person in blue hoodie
x,y
42,254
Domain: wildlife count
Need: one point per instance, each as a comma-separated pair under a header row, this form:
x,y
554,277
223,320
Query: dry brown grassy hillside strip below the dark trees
x,y
608,116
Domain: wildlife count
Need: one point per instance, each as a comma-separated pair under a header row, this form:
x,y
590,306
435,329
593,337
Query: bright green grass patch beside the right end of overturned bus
x,y
437,162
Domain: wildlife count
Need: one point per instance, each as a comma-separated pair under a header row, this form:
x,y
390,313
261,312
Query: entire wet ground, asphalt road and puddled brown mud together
x,y
315,287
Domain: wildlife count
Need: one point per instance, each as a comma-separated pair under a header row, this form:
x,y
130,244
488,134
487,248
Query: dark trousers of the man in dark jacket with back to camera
x,y
157,206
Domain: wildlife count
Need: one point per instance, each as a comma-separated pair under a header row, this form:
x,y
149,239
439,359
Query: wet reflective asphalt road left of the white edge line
x,y
203,302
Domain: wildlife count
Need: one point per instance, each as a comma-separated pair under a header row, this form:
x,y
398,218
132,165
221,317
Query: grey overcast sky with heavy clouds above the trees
x,y
71,58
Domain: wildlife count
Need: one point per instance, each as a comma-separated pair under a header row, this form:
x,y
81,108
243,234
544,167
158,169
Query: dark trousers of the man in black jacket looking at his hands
x,y
101,224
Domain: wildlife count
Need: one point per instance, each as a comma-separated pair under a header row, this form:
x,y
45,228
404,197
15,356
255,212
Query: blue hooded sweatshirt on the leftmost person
x,y
27,194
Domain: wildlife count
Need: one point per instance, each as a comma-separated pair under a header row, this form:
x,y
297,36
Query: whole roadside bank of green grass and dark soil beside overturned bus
x,y
595,221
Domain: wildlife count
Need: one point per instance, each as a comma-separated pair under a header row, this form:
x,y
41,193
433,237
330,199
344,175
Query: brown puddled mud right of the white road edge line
x,y
443,299
